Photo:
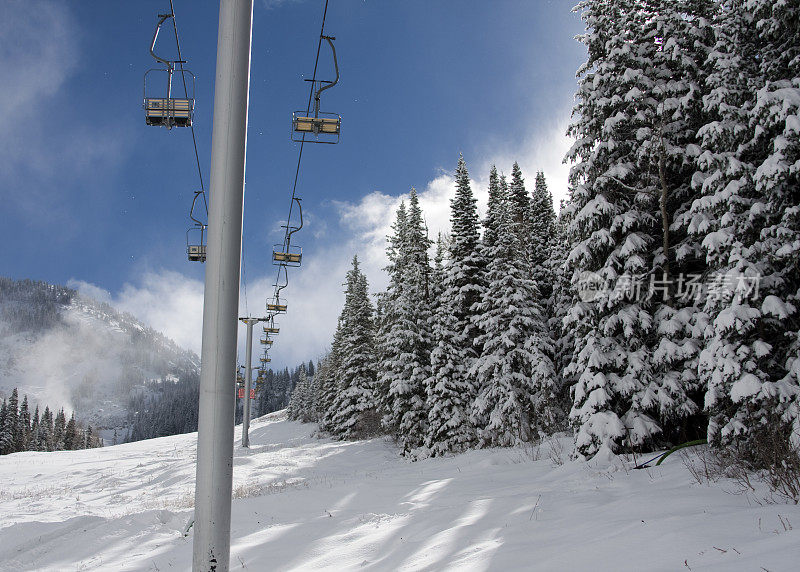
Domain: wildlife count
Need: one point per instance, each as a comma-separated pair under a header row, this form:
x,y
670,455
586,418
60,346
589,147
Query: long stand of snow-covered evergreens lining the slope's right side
x,y
661,305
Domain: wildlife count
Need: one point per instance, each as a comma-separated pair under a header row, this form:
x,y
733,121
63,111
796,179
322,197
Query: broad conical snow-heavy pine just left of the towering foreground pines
x,y
514,372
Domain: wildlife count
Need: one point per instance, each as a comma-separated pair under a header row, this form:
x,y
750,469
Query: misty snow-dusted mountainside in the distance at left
x,y
69,351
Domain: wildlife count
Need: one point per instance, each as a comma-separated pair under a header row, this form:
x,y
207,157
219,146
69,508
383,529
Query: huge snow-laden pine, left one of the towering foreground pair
x,y
636,122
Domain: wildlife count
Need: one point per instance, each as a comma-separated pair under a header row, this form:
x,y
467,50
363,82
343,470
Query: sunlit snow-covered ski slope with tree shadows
x,y
303,503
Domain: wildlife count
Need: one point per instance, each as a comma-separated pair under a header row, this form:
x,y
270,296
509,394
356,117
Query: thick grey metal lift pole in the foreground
x,y
213,486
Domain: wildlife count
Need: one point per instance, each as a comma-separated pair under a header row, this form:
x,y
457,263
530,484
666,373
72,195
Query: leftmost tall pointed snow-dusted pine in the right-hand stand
x,y
355,410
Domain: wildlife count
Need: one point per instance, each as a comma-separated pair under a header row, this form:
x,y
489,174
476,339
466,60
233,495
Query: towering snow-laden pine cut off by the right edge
x,y
748,216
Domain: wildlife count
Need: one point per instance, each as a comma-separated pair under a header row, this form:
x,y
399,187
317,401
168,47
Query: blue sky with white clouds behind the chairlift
x,y
94,198
